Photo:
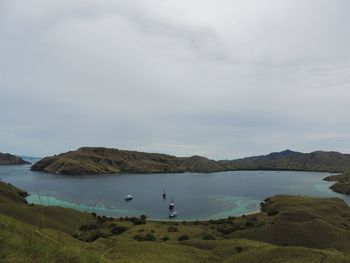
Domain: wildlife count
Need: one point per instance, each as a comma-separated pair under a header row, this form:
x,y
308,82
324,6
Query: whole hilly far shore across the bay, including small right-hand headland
x,y
100,160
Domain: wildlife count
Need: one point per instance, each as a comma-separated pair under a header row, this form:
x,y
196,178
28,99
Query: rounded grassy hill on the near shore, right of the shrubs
x,y
304,221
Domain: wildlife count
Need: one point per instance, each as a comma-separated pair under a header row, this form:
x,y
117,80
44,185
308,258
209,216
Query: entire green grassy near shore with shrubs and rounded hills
x,y
289,229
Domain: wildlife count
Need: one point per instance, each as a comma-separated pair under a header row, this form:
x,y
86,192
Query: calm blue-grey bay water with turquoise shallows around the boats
x,y
197,196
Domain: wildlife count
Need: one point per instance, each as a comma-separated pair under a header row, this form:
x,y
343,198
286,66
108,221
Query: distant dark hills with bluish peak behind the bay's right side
x,y
289,160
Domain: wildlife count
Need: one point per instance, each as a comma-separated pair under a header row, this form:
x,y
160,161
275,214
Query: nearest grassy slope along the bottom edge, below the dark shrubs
x,y
26,243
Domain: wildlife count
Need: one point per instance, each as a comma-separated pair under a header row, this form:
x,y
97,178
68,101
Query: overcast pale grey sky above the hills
x,y
223,79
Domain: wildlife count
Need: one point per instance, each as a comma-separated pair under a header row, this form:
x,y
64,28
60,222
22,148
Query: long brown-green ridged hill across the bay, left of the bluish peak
x,y
99,160
